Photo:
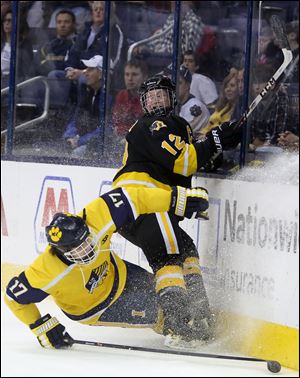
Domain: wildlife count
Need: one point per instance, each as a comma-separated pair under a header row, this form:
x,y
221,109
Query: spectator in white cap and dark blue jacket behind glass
x,y
83,129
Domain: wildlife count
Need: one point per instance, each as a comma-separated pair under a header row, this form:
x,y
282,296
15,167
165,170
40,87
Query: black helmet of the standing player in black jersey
x,y
158,82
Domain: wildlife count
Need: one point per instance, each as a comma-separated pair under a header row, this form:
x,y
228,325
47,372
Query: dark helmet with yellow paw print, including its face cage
x,y
71,237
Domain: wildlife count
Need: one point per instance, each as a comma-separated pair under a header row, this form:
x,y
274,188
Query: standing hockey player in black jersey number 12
x,y
161,152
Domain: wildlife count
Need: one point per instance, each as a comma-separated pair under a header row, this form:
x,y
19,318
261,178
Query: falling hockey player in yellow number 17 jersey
x,y
89,282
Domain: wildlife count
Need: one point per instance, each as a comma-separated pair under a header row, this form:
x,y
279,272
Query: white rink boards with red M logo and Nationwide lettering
x,y
249,249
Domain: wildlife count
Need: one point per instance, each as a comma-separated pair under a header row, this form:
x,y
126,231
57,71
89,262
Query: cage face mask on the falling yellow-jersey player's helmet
x,y
85,253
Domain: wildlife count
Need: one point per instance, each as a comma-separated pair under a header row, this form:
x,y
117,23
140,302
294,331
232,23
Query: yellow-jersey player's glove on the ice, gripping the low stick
x,y
50,333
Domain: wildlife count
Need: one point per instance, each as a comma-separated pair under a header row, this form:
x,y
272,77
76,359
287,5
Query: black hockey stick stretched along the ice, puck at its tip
x,y
273,366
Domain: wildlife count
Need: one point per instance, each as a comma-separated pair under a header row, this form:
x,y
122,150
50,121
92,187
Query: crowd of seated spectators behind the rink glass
x,y
76,67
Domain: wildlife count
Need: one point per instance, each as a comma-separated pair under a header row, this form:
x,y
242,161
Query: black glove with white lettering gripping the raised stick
x,y
225,137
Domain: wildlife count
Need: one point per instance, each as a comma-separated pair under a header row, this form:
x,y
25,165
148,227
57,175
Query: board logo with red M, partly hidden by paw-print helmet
x,y
56,196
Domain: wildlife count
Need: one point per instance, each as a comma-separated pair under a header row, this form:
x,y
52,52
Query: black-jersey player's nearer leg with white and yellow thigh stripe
x,y
156,234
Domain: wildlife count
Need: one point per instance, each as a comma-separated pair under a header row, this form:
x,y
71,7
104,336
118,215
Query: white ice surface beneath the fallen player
x,y
22,356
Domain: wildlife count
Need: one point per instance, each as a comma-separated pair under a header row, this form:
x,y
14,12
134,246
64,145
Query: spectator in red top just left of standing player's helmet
x,y
127,107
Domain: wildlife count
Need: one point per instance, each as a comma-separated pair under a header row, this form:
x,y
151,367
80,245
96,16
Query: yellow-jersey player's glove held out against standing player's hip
x,y
189,203
